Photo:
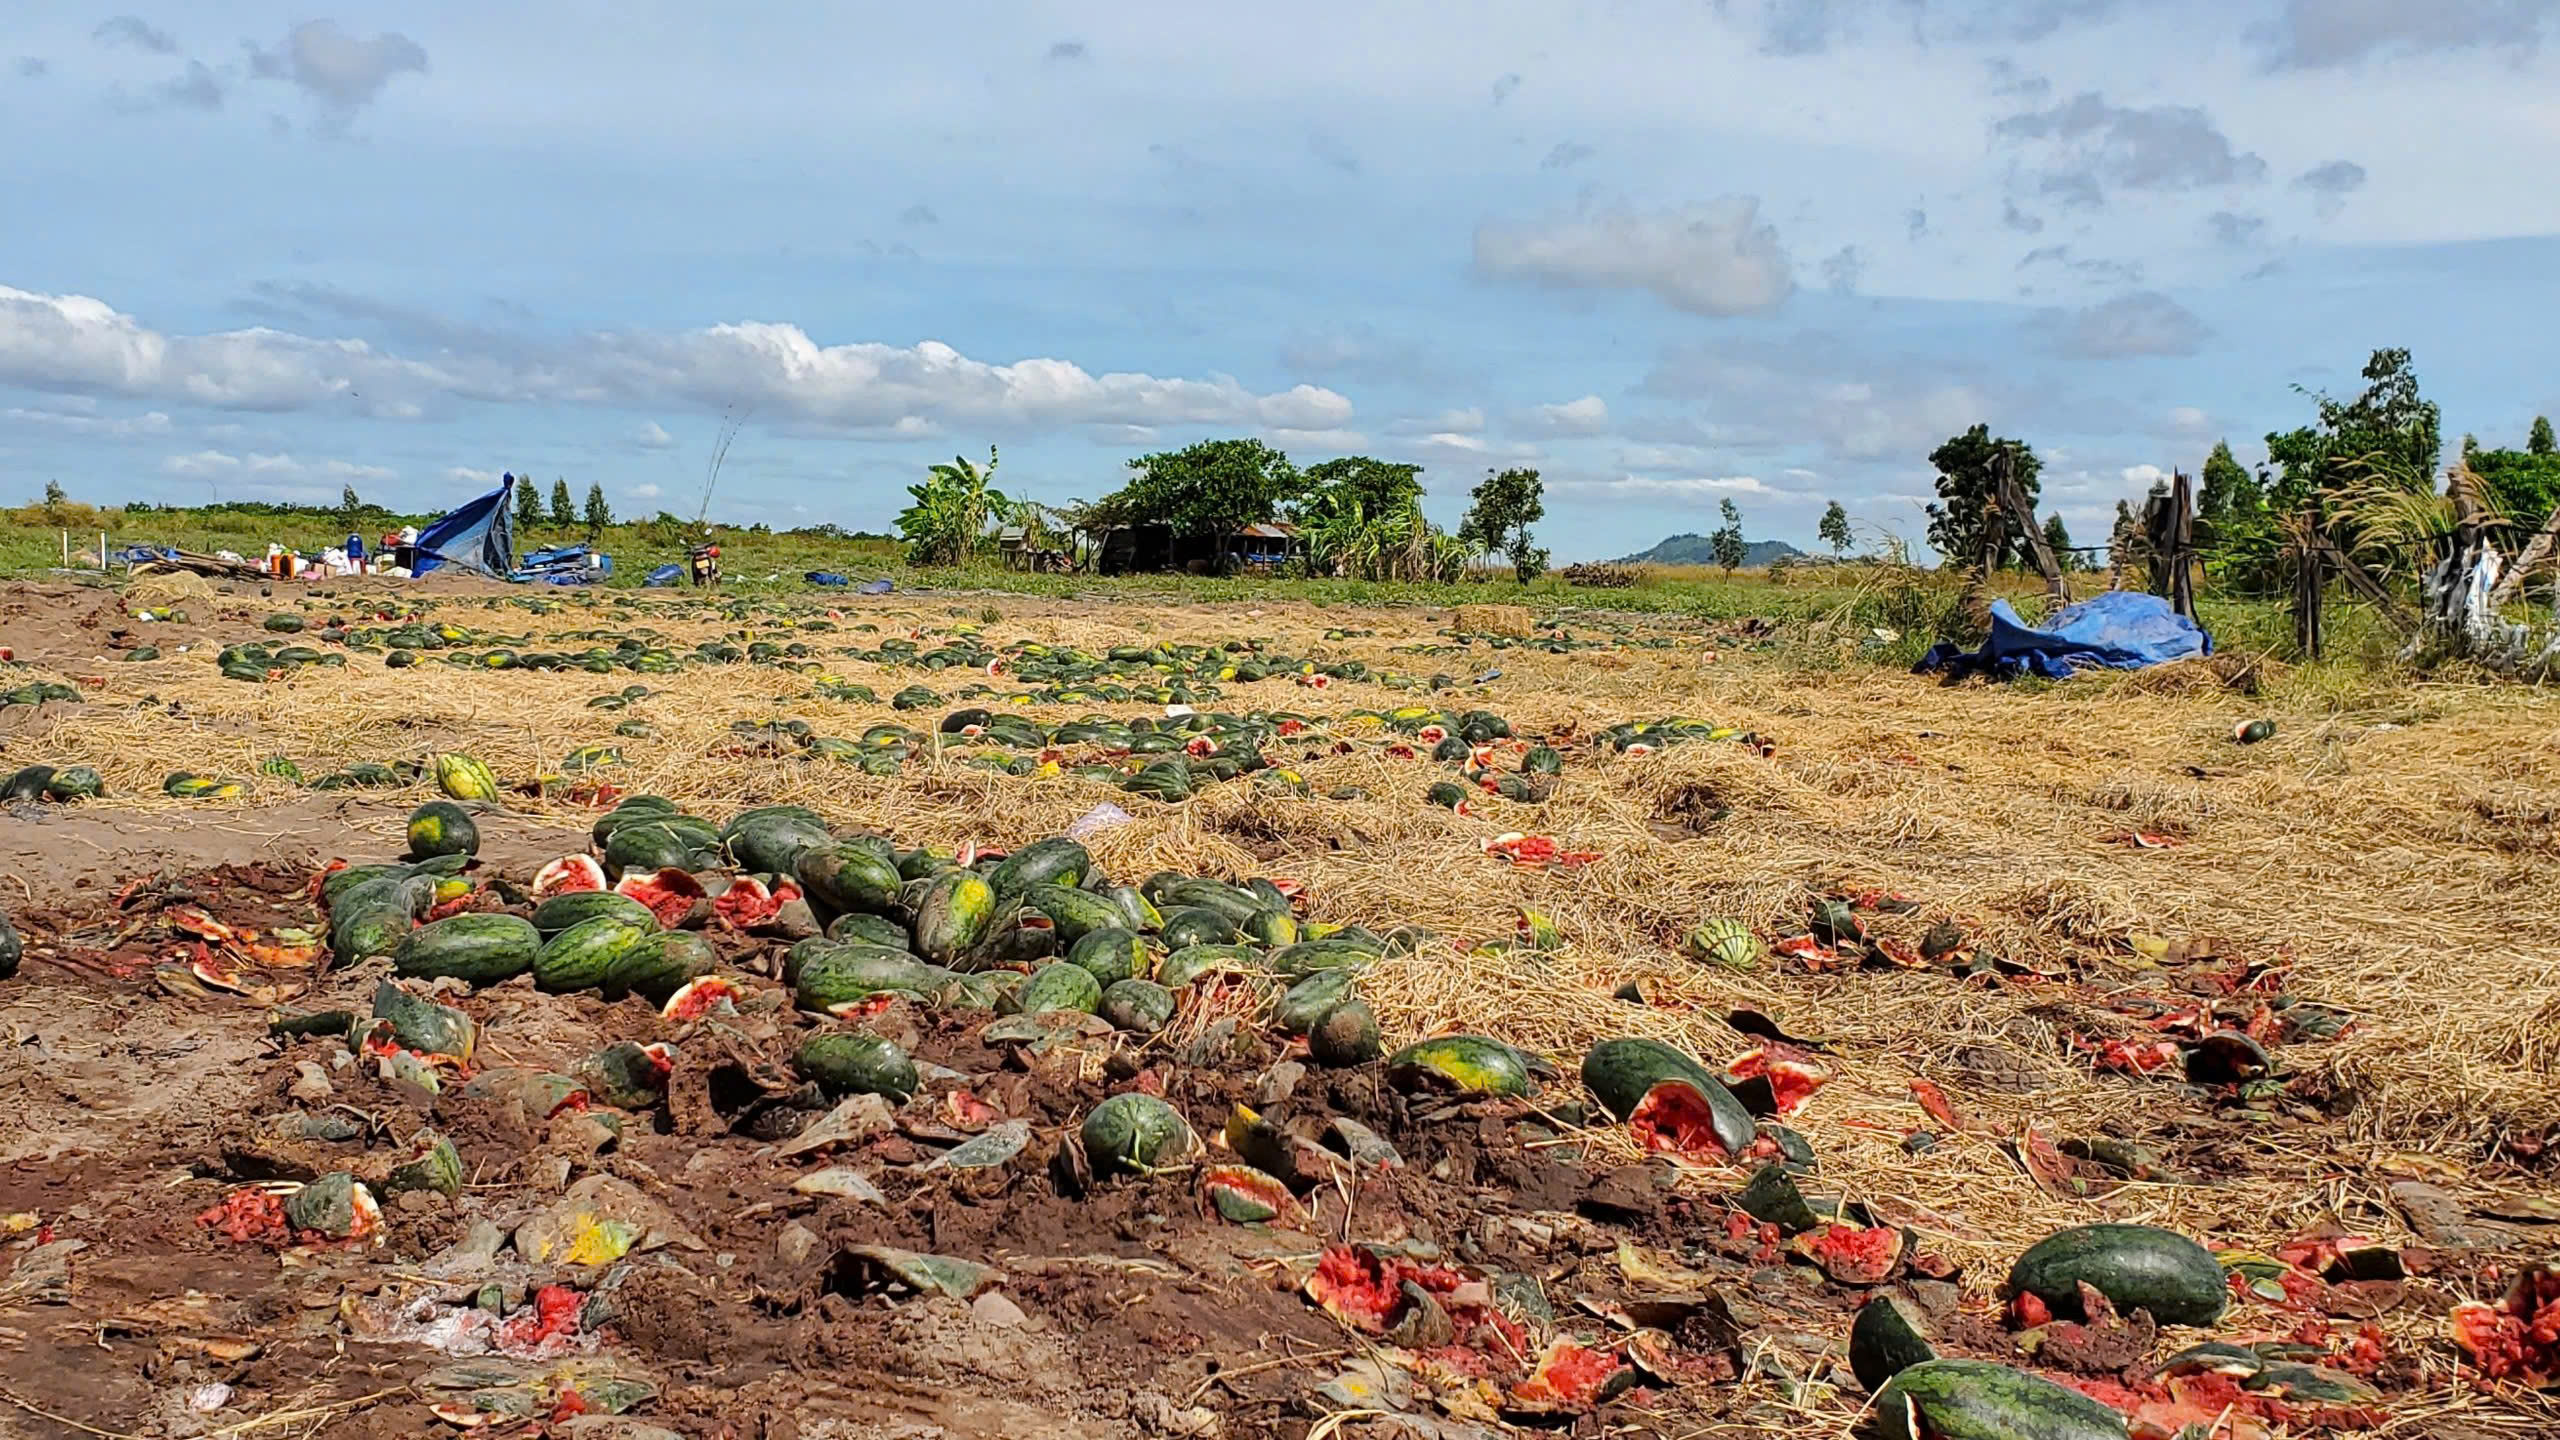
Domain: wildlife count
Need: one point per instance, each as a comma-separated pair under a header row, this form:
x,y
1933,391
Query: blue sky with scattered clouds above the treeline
x,y
1663,250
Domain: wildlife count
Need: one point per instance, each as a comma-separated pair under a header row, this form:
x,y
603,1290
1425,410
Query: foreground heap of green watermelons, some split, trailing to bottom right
x,y
1051,944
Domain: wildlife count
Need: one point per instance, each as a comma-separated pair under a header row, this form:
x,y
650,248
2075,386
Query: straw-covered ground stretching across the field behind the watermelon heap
x,y
2392,862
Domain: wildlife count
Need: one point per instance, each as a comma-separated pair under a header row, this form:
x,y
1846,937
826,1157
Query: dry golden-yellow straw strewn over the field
x,y
2395,862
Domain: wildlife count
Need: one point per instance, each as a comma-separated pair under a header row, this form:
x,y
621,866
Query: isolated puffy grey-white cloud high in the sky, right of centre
x,y
1709,260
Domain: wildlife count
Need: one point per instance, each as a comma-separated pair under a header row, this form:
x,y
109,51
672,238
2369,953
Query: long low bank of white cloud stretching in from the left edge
x,y
86,347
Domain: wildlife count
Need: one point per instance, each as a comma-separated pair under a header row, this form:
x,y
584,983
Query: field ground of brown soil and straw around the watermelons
x,y
2103,880
